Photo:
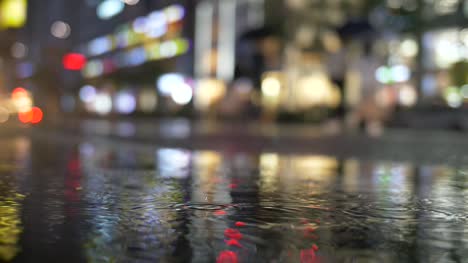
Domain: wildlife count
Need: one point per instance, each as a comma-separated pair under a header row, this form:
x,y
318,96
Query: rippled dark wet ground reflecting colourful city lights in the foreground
x,y
98,202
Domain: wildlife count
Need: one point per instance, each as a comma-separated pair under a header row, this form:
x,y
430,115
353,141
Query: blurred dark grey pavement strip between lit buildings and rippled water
x,y
401,145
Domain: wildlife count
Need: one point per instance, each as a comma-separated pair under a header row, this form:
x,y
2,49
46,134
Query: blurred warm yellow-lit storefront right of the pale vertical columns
x,y
369,59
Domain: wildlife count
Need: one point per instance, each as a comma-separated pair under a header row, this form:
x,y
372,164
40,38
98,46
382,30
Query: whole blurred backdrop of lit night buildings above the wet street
x,y
286,60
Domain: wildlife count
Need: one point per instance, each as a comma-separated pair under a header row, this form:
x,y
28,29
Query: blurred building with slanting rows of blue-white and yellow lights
x,y
142,66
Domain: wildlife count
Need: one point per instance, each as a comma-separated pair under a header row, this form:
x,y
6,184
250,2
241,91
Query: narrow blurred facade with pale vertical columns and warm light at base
x,y
219,26
